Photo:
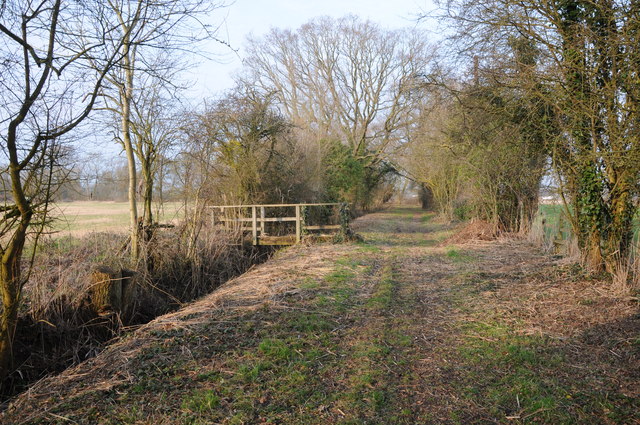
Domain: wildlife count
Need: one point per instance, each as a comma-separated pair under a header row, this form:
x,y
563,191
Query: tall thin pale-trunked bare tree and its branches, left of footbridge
x,y
152,32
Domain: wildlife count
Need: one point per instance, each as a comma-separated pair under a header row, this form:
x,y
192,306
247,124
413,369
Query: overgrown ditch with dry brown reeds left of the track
x,y
70,310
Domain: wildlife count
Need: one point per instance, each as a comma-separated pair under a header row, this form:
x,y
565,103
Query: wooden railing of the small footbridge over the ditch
x,y
258,219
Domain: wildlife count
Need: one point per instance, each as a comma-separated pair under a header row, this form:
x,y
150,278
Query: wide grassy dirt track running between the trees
x,y
400,329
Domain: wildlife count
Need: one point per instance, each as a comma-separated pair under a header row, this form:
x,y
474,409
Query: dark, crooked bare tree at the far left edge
x,y
47,90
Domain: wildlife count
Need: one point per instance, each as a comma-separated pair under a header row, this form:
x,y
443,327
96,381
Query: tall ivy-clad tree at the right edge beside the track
x,y
587,72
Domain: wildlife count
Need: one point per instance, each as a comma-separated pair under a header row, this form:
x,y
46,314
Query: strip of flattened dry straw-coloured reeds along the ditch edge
x,y
260,286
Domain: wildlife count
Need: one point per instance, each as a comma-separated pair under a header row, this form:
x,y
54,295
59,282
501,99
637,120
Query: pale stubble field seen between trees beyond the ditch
x,y
82,217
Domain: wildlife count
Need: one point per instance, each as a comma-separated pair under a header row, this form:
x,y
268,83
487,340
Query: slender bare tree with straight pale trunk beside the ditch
x,y
150,26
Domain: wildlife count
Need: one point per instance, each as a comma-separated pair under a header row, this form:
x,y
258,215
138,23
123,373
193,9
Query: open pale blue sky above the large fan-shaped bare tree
x,y
256,17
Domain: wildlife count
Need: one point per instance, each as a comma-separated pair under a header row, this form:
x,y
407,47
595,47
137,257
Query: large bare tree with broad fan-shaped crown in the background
x,y
343,79
